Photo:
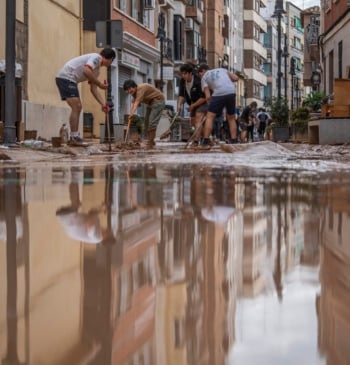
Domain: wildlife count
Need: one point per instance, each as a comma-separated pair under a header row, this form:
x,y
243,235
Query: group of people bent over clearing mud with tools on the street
x,y
208,93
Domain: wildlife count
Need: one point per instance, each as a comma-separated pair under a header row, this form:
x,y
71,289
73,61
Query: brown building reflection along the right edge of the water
x,y
333,301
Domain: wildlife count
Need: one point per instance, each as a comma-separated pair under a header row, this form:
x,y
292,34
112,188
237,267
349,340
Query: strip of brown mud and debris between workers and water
x,y
45,152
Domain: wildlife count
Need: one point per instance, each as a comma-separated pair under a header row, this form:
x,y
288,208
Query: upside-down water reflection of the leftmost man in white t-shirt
x,y
80,226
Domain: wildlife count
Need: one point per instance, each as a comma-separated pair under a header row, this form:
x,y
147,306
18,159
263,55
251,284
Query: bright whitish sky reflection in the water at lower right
x,y
270,333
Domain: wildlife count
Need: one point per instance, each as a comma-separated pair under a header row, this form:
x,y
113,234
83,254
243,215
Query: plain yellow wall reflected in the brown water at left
x,y
55,279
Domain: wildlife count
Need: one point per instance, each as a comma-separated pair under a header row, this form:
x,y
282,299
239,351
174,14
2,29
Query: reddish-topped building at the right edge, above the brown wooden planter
x,y
334,42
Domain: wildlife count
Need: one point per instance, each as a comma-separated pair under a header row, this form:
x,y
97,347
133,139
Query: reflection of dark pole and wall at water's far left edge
x,y
13,268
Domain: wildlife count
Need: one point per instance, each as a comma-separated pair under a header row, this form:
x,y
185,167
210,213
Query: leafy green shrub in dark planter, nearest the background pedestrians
x,y
279,127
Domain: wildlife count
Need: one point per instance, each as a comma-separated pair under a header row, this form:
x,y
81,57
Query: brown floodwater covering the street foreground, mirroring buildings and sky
x,y
176,258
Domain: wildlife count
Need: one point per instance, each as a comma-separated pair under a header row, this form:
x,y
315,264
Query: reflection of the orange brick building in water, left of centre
x,y
123,273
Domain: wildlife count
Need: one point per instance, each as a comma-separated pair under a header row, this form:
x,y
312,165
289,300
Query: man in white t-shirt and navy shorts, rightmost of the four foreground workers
x,y
220,92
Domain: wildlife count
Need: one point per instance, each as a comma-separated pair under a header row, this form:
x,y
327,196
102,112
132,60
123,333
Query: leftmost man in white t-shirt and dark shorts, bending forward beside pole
x,y
79,69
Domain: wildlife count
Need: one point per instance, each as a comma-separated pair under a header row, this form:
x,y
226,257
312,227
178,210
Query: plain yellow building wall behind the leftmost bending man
x,y
54,38
